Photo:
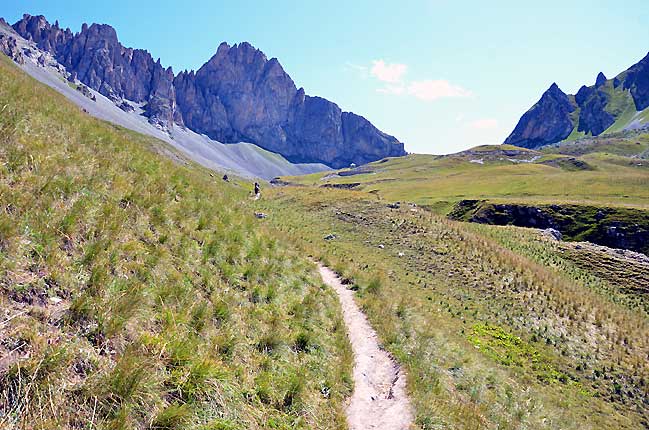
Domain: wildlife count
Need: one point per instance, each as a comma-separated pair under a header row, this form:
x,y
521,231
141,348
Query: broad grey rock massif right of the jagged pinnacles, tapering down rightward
x,y
240,95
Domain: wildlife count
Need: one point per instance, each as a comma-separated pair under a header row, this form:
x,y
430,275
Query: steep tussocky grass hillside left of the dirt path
x,y
139,292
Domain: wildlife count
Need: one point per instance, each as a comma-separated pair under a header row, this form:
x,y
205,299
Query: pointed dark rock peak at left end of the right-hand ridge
x,y
549,120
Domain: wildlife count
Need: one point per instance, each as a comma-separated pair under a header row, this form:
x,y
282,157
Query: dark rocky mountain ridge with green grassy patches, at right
x,y
610,105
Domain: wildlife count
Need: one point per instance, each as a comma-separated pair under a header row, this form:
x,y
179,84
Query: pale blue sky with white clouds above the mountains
x,y
439,75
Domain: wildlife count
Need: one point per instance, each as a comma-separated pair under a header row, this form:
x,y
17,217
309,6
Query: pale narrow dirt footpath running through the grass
x,y
379,400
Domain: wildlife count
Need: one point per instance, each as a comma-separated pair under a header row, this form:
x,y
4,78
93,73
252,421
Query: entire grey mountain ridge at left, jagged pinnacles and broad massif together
x,y
238,95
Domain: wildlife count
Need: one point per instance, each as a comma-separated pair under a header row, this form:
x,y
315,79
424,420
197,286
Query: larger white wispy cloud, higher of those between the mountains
x,y
393,76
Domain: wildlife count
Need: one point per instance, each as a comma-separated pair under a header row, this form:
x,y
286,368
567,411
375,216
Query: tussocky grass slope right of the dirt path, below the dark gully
x,y
498,327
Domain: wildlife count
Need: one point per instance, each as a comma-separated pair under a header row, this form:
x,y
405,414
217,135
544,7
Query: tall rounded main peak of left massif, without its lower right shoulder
x,y
238,95
